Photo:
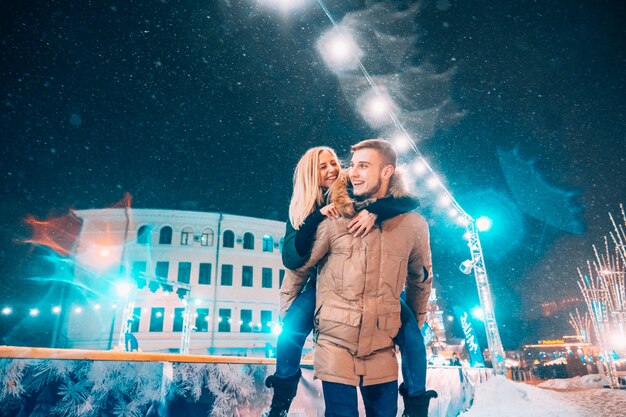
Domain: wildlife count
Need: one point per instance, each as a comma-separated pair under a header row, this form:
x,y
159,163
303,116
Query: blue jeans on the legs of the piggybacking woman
x,y
298,323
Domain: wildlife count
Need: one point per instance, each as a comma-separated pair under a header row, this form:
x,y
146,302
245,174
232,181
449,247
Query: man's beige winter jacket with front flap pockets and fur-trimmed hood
x,y
358,288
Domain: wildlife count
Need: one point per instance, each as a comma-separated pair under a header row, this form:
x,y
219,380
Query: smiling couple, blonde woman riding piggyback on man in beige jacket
x,y
350,255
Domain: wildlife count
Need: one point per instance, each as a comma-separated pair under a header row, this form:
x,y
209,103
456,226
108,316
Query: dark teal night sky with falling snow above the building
x,y
208,105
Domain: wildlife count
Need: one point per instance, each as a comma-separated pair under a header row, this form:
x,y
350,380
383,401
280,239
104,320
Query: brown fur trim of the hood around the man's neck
x,y
340,193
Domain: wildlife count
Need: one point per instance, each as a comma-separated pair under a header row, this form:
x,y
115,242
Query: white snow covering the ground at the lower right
x,y
574,397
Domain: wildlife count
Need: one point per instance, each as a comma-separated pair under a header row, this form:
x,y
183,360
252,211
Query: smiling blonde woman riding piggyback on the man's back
x,y
316,171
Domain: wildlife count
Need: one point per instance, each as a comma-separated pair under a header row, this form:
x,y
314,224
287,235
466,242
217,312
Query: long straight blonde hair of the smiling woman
x,y
308,194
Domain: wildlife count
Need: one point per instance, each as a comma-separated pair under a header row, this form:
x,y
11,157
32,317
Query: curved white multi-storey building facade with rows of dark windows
x,y
227,268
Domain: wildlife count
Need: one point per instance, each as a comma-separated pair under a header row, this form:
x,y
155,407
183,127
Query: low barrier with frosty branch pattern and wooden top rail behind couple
x,y
87,382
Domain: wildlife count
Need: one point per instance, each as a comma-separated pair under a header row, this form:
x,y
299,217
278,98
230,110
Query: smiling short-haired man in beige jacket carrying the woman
x,y
358,290
